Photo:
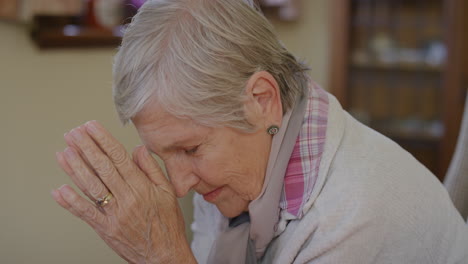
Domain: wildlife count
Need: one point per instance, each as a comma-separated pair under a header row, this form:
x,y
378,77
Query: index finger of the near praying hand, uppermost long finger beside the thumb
x,y
116,153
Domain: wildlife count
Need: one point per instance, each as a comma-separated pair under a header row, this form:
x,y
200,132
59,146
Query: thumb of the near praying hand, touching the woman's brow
x,y
149,166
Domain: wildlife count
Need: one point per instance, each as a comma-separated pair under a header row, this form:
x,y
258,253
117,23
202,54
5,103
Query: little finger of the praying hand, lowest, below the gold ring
x,y
78,206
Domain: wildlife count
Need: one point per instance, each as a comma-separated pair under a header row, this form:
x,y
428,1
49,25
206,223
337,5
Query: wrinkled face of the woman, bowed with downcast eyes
x,y
224,165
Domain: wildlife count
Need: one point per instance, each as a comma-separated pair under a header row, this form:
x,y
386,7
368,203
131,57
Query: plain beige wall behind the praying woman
x,y
43,94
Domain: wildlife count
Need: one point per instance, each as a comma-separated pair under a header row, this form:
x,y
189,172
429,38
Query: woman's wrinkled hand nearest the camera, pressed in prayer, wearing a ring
x,y
142,221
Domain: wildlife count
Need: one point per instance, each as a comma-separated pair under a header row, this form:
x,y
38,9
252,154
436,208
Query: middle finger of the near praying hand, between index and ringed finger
x,y
99,162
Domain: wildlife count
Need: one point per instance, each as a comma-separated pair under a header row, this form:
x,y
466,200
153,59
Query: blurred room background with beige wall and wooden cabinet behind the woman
x,y
397,66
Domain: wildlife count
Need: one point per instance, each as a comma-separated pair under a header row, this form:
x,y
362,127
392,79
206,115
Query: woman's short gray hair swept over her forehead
x,y
196,57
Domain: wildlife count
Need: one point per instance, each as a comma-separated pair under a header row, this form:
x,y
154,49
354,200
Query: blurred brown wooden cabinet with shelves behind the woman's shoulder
x,y
399,67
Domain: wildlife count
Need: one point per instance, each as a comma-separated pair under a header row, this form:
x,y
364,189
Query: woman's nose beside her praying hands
x,y
182,176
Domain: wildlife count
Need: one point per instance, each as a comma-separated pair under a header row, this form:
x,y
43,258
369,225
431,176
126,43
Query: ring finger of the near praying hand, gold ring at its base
x,y
82,176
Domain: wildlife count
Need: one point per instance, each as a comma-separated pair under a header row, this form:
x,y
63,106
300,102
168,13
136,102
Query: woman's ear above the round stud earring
x,y
263,104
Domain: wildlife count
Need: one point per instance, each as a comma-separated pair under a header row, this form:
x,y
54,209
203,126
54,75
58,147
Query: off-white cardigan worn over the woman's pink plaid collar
x,y
372,203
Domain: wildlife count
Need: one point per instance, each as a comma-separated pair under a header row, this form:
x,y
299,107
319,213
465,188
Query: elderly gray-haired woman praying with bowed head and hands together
x,y
282,173
